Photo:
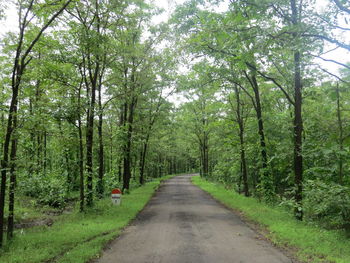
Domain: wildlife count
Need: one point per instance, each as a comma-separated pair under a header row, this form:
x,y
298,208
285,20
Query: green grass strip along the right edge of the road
x,y
311,243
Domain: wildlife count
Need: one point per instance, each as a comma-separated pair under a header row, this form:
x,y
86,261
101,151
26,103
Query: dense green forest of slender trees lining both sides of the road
x,y
95,94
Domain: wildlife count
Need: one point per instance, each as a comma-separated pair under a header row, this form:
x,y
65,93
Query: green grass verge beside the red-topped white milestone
x,y
78,237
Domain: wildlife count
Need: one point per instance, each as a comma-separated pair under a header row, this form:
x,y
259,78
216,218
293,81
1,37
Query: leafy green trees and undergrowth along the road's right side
x,y
267,105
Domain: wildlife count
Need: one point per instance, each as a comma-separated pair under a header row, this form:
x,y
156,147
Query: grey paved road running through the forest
x,y
184,224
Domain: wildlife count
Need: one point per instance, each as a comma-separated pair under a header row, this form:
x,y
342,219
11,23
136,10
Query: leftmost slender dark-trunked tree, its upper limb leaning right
x,y
21,61
